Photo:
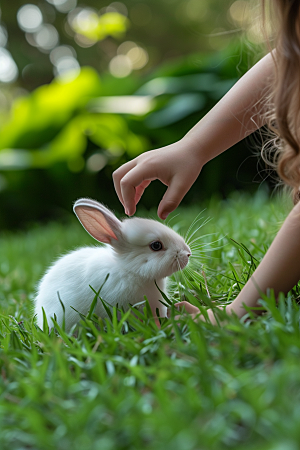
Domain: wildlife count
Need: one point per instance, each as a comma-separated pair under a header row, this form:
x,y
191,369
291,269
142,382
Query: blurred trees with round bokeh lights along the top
x,y
47,37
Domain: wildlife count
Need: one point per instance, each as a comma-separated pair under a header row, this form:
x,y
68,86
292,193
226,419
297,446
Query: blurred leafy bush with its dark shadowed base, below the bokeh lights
x,y
64,139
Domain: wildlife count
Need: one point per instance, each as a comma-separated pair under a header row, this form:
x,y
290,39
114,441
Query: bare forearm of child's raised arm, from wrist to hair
x,y
236,115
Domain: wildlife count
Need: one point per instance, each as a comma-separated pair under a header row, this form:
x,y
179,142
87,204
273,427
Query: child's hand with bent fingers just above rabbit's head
x,y
177,166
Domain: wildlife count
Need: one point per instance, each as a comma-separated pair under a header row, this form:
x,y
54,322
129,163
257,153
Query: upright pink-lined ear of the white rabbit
x,y
98,221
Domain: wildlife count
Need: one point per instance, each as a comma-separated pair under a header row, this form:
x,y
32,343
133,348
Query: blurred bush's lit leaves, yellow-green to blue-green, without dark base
x,y
55,122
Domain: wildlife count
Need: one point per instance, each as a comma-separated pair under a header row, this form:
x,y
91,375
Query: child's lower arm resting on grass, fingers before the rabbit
x,y
279,269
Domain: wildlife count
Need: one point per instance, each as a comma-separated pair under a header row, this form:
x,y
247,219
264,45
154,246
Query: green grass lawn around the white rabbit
x,y
128,384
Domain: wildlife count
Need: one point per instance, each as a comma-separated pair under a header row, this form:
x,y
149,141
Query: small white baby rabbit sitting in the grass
x,y
137,253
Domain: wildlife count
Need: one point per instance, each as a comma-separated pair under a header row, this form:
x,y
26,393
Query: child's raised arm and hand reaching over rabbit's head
x,y
179,164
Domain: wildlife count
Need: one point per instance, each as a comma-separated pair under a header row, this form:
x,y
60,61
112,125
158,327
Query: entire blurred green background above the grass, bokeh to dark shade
x,y
63,136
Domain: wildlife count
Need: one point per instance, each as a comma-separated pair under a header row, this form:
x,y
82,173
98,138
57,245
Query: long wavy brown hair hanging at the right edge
x,y
284,111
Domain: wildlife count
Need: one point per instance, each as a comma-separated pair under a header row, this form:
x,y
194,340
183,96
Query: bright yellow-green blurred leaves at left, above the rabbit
x,y
53,124
